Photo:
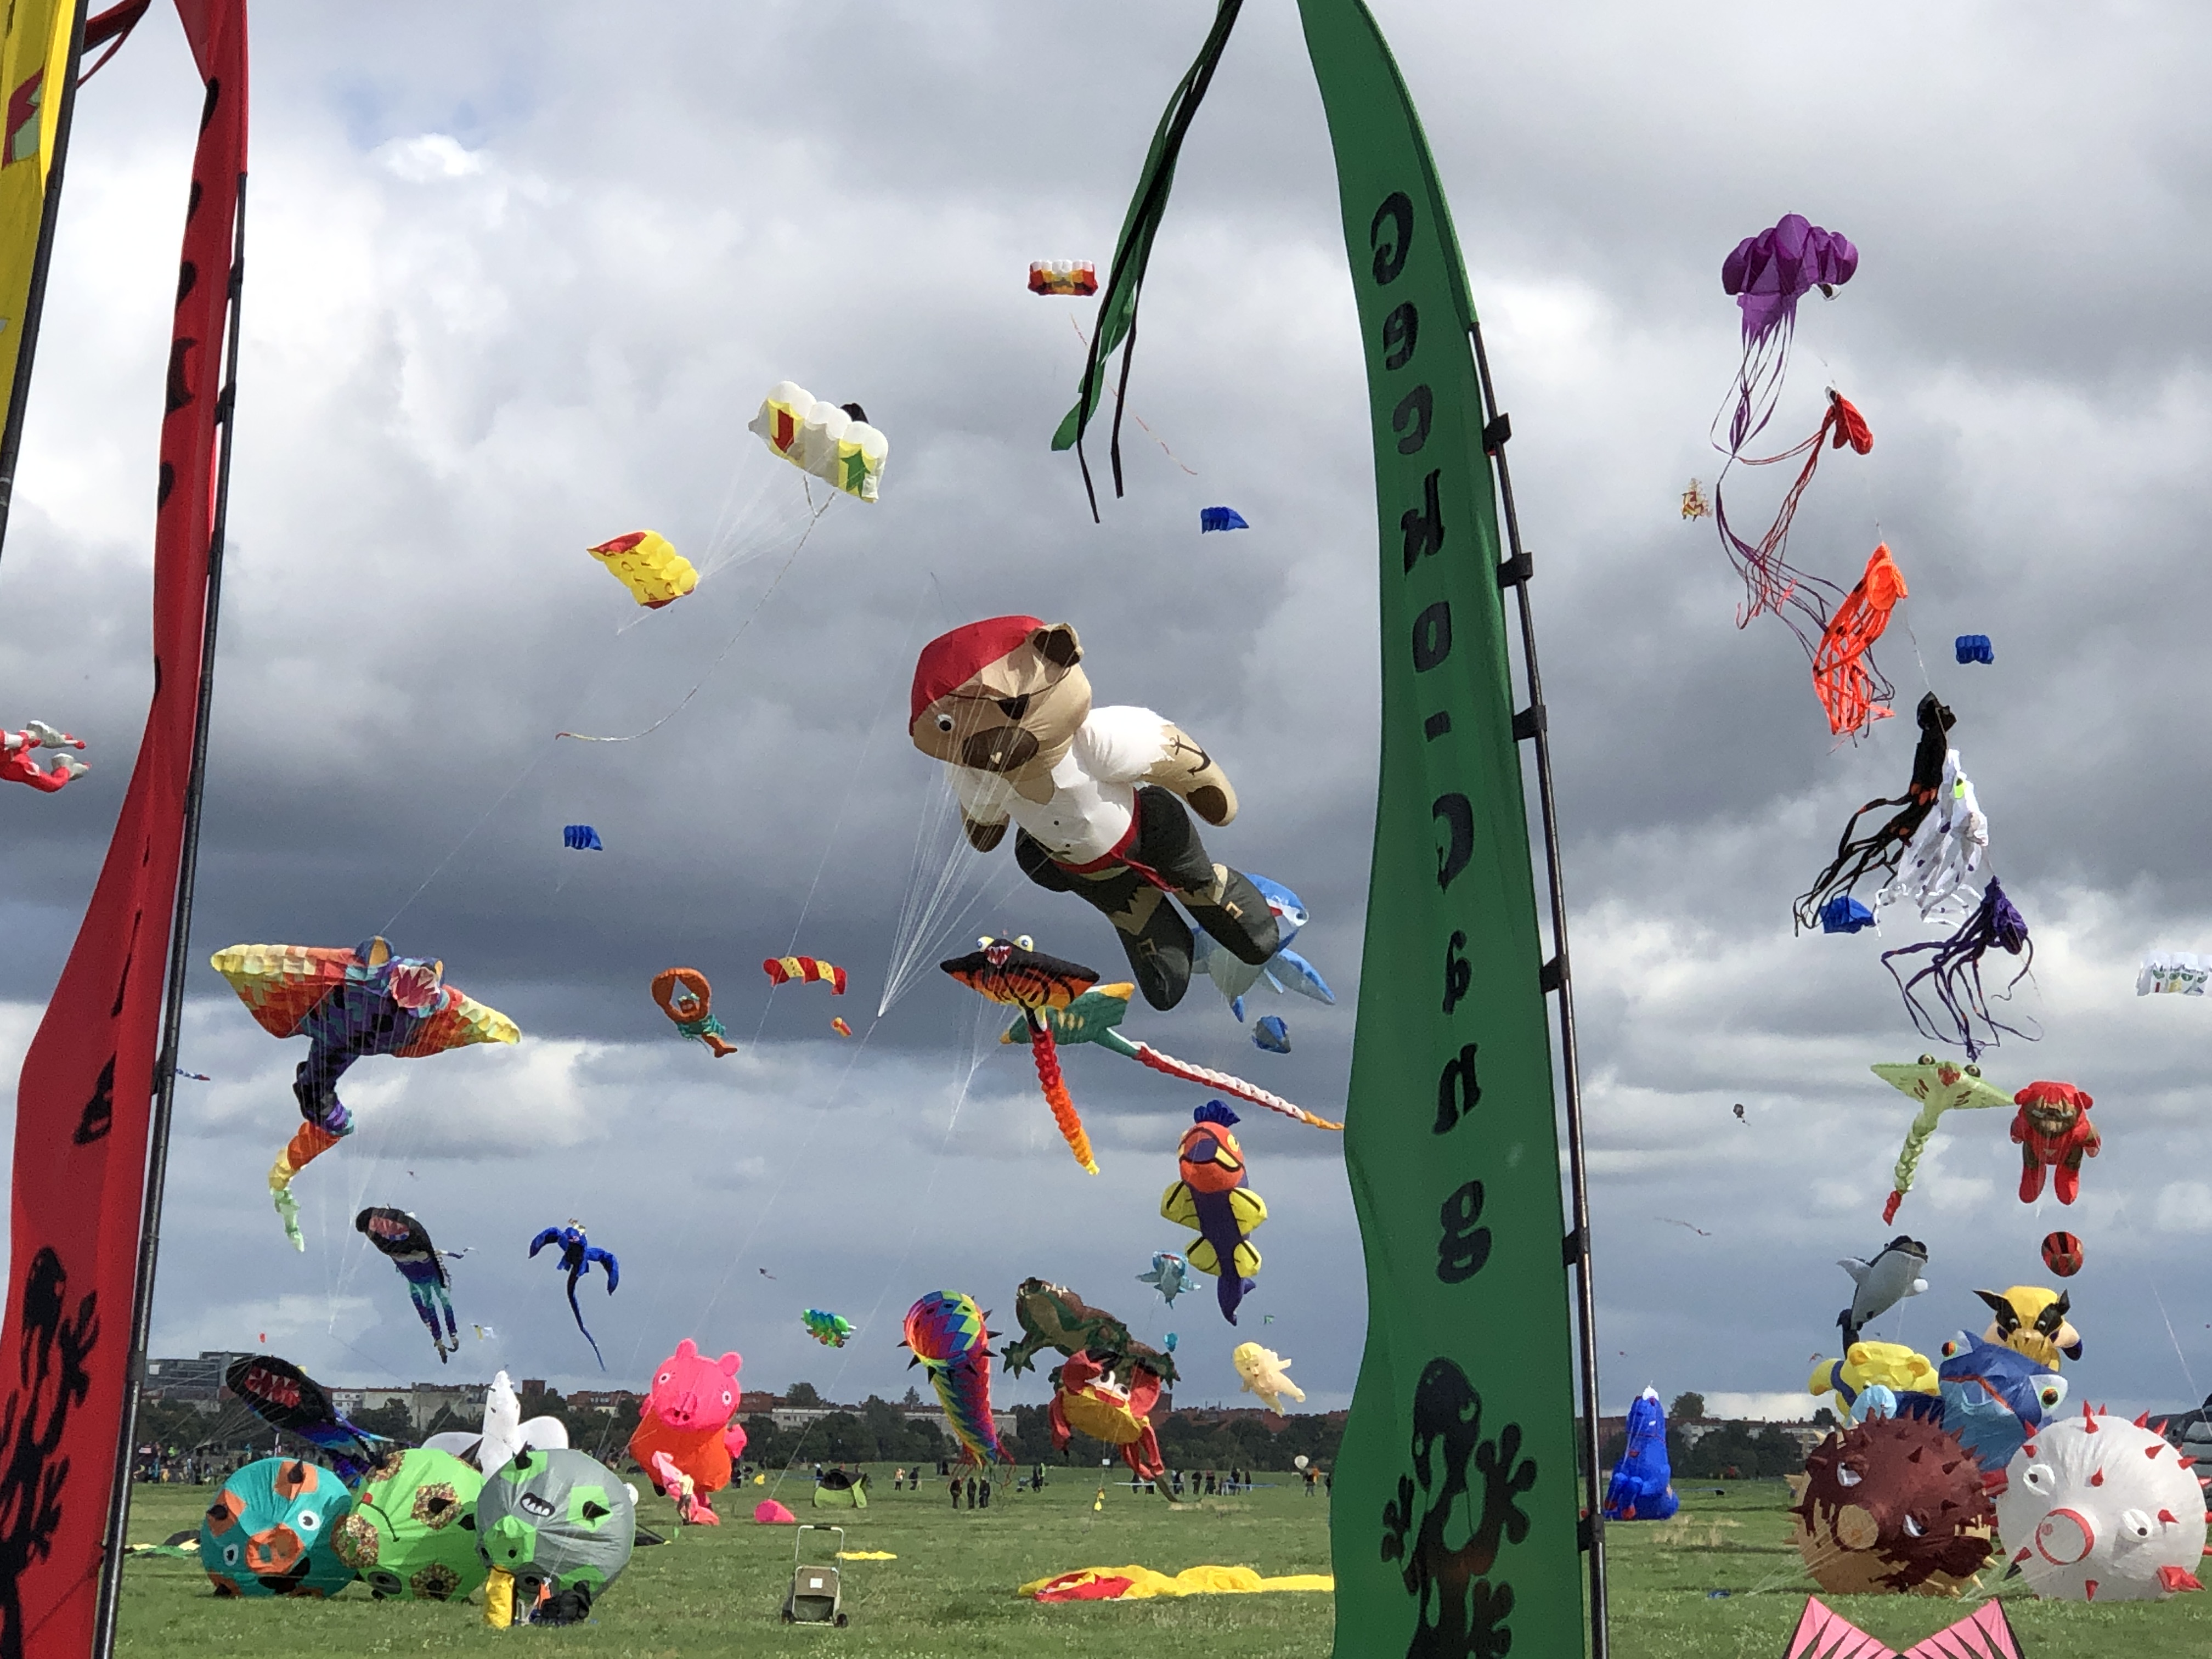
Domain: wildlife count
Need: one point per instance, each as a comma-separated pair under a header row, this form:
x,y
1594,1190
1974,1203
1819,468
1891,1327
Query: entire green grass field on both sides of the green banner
x,y
950,1592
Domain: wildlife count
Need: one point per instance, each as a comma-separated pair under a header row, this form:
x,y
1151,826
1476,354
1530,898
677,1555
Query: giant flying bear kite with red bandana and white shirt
x,y
1098,795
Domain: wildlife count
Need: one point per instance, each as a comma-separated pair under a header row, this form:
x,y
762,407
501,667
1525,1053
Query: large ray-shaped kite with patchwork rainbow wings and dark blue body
x,y
348,1005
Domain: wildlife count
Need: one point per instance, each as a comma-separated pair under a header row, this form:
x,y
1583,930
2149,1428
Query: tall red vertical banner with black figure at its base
x,y
87,1083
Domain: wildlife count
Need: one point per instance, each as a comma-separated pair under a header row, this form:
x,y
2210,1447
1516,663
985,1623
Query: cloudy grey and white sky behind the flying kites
x,y
510,298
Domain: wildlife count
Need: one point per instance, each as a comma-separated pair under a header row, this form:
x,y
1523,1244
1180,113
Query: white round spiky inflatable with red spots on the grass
x,y
2103,1510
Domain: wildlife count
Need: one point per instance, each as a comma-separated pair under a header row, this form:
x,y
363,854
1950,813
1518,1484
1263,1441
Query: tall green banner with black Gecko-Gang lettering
x,y
1454,1519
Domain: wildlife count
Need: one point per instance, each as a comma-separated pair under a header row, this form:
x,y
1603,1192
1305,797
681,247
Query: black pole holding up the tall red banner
x,y
180,939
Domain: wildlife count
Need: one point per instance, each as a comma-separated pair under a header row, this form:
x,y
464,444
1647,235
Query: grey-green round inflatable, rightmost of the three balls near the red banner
x,y
559,1521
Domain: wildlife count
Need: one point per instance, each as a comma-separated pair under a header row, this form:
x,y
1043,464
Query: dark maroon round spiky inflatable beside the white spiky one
x,y
1892,1505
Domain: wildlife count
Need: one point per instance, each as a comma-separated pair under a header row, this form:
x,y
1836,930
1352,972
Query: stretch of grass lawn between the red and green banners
x,y
720,1589
